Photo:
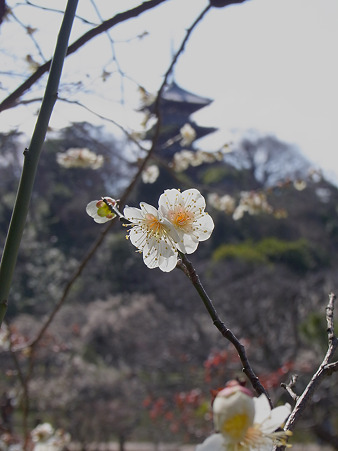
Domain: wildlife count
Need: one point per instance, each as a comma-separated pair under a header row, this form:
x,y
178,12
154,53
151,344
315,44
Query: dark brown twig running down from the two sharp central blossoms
x,y
189,271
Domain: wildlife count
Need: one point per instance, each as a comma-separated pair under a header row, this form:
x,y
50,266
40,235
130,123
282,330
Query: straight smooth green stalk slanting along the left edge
x,y
32,156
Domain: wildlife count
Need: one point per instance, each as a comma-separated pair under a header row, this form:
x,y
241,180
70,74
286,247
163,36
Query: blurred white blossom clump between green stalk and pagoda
x,y
79,158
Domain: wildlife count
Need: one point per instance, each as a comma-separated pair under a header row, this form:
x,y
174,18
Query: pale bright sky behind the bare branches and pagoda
x,y
270,65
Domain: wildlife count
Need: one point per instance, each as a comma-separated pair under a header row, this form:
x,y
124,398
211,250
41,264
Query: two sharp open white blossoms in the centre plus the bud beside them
x,y
177,225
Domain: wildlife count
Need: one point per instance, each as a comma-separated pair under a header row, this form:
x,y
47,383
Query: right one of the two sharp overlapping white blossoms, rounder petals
x,y
185,211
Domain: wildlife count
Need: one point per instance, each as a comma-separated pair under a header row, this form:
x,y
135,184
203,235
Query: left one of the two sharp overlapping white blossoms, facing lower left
x,y
153,235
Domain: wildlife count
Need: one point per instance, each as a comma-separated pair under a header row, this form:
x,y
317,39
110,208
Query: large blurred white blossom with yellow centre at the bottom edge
x,y
245,423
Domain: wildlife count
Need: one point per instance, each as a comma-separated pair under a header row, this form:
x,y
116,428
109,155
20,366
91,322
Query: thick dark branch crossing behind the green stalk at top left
x,y
13,98
